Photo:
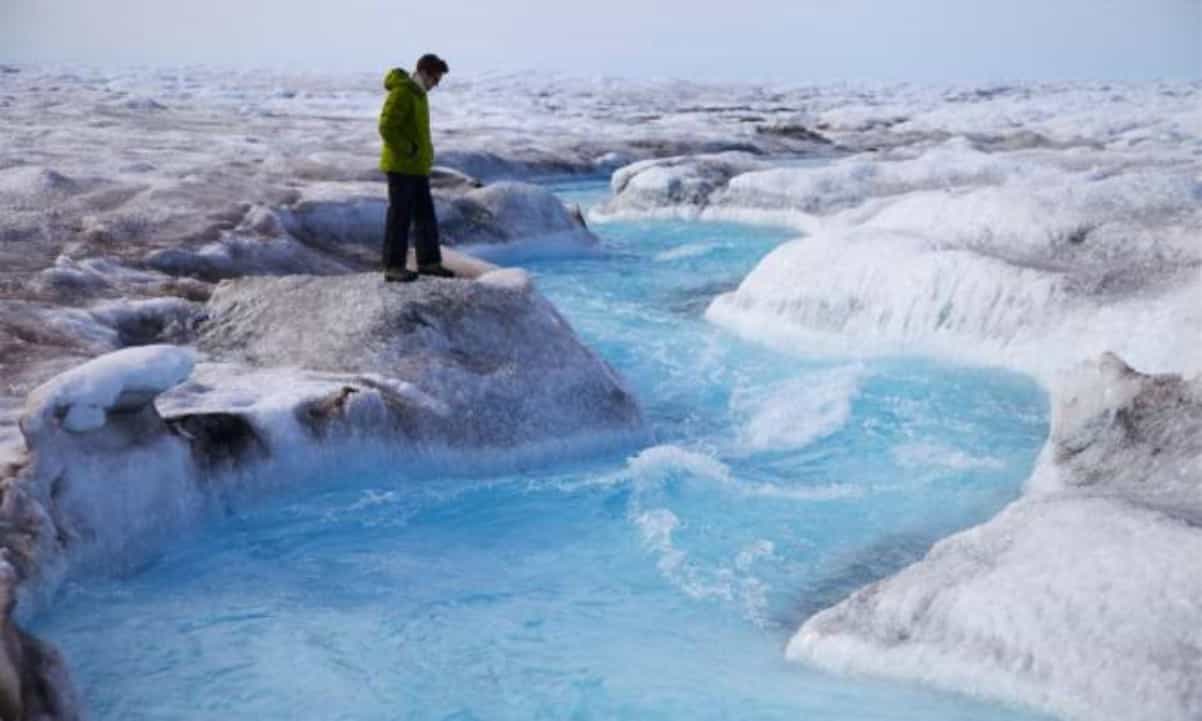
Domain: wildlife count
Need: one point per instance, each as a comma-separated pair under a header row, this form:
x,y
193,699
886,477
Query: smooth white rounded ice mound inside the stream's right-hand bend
x,y
894,293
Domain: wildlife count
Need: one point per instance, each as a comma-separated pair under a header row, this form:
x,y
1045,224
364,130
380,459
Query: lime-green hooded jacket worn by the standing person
x,y
406,127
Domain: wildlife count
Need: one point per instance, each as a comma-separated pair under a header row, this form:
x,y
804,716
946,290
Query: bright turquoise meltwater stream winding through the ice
x,y
663,583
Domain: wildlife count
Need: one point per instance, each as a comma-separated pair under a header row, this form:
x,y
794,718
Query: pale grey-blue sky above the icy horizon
x,y
798,40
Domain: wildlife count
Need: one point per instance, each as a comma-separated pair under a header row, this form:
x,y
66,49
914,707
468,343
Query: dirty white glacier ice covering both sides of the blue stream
x,y
1049,229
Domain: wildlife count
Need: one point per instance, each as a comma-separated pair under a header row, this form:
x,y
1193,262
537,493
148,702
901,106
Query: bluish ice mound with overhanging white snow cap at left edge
x,y
102,466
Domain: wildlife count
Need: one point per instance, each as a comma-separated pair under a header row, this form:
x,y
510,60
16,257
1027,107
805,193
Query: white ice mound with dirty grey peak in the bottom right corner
x,y
1081,599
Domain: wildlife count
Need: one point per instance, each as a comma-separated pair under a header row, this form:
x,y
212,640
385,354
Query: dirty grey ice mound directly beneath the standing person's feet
x,y
485,365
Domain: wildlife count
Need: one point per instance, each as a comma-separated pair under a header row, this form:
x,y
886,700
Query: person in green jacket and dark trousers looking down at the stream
x,y
407,158
